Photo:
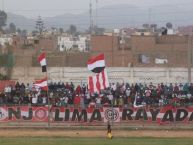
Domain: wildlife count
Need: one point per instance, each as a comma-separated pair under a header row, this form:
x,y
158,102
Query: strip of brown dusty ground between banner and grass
x,y
93,133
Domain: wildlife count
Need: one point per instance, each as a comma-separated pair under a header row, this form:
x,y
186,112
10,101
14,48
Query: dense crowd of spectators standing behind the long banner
x,y
118,94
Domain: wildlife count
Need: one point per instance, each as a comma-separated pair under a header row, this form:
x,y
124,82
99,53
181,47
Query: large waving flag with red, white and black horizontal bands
x,y
96,64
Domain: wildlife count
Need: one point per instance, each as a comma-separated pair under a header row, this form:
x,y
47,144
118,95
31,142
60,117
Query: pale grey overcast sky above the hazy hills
x,y
49,8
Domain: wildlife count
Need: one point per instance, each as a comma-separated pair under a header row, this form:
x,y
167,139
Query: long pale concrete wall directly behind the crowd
x,y
78,75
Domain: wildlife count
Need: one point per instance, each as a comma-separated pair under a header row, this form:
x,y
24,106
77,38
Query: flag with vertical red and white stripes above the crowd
x,y
98,82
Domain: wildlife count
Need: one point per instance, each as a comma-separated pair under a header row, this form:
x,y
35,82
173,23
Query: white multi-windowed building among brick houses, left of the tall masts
x,y
66,43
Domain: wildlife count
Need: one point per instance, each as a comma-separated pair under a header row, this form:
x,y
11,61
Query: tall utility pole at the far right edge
x,y
189,56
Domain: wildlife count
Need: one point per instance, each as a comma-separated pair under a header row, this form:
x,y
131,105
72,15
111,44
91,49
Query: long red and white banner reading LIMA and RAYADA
x,y
92,116
